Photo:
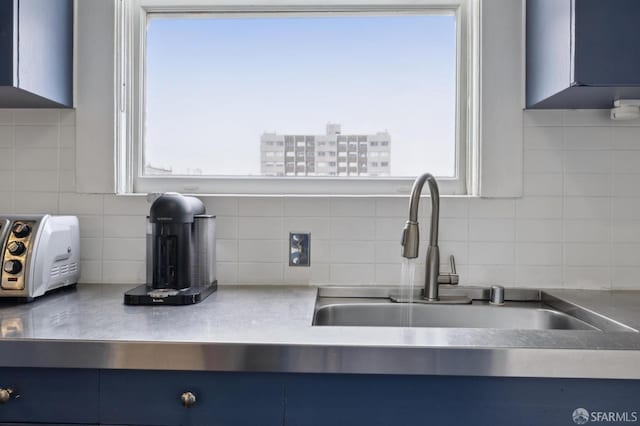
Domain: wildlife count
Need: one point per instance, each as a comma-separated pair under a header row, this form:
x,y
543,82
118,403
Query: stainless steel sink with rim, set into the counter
x,y
531,312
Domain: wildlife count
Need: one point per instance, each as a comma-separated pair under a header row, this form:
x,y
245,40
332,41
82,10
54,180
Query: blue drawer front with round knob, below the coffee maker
x,y
153,398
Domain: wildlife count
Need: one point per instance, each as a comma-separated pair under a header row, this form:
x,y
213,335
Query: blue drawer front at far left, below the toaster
x,y
43,395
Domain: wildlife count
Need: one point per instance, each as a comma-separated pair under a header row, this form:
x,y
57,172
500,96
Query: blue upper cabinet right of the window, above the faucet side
x,y
582,53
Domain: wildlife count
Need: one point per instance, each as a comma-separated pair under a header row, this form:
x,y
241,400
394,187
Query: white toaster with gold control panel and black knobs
x,y
39,253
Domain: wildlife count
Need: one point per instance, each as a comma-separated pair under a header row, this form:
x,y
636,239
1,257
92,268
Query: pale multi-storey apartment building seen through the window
x,y
331,154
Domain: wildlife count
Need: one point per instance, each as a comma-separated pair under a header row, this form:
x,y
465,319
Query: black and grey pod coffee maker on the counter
x,y
181,253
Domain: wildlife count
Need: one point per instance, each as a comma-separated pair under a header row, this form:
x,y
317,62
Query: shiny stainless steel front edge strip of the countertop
x,y
288,358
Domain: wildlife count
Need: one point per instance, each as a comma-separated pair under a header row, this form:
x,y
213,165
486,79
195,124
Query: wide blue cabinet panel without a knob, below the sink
x,y
441,400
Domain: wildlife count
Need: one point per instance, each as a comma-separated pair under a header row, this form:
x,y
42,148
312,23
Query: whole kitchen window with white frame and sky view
x,y
212,93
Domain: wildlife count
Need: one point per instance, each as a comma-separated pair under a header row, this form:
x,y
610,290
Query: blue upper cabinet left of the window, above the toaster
x,y
36,53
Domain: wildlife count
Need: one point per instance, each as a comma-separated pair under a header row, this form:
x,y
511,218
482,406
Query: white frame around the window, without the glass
x,y
131,23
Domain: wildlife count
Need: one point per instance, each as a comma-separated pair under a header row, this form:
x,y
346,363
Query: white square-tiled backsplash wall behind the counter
x,y
577,226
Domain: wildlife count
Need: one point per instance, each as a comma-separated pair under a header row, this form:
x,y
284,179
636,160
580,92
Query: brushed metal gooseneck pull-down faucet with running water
x,y
411,243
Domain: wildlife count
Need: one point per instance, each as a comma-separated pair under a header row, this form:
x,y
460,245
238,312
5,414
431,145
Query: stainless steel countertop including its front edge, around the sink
x,y
268,329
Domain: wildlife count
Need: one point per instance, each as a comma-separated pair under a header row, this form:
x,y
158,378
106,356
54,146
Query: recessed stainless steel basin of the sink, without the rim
x,y
519,316
